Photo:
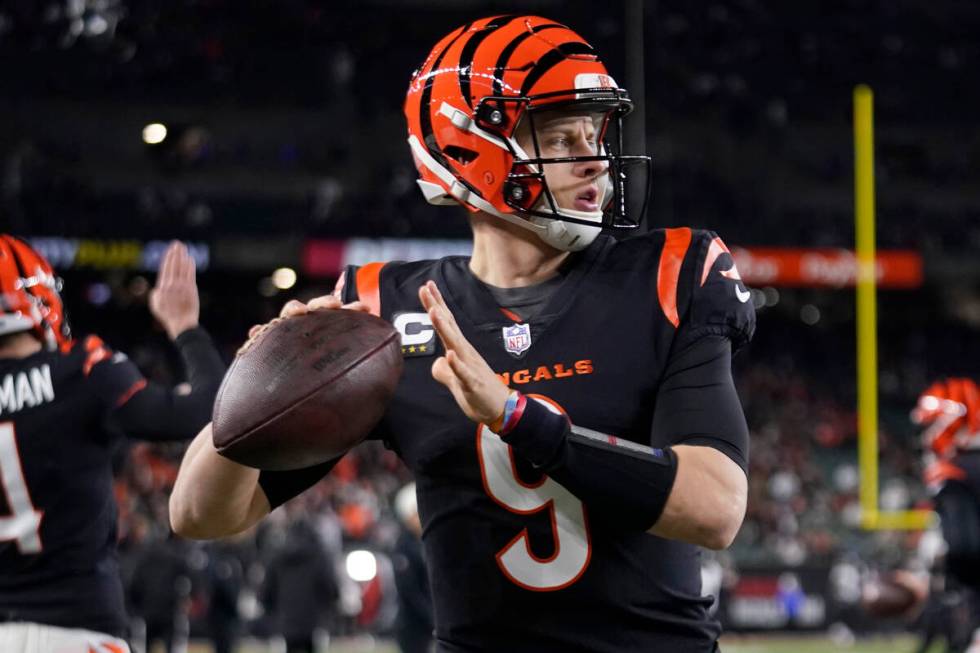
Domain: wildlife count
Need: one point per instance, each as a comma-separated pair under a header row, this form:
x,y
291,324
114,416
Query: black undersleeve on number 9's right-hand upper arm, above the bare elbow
x,y
697,402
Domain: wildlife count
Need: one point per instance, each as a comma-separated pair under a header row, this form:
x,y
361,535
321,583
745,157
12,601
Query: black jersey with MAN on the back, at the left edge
x,y
57,512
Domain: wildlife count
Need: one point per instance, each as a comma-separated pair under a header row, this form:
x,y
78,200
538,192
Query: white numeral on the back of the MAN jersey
x,y
24,522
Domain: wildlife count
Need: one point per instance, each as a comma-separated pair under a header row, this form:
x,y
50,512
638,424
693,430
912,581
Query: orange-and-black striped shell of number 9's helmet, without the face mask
x,y
527,59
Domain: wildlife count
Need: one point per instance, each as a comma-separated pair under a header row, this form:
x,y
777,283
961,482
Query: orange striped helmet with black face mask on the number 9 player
x,y
479,84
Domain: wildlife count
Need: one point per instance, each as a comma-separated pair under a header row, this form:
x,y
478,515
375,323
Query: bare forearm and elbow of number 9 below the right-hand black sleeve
x,y
707,502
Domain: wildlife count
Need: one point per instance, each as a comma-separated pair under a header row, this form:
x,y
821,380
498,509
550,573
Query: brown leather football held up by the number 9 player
x,y
306,389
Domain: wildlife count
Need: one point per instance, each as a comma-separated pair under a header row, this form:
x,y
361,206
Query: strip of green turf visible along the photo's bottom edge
x,y
729,645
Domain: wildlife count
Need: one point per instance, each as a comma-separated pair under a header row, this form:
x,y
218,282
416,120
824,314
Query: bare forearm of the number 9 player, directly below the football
x,y
213,496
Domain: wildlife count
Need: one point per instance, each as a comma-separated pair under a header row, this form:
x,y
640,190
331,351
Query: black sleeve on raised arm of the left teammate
x,y
159,413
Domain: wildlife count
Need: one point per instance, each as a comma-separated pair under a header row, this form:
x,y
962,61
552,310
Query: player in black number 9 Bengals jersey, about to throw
x,y
542,535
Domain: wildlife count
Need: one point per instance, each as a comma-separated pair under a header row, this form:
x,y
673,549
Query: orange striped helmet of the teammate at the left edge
x,y
29,295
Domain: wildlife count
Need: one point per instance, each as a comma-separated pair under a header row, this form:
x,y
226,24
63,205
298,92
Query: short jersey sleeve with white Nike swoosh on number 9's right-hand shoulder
x,y
718,303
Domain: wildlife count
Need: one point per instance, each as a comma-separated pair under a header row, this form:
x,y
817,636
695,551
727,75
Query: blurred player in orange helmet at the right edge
x,y
949,411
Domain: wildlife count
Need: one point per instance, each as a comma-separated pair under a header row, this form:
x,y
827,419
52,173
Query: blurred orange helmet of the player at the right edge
x,y
950,412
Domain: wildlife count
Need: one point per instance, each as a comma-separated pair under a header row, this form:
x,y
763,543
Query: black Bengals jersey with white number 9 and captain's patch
x,y
516,561
